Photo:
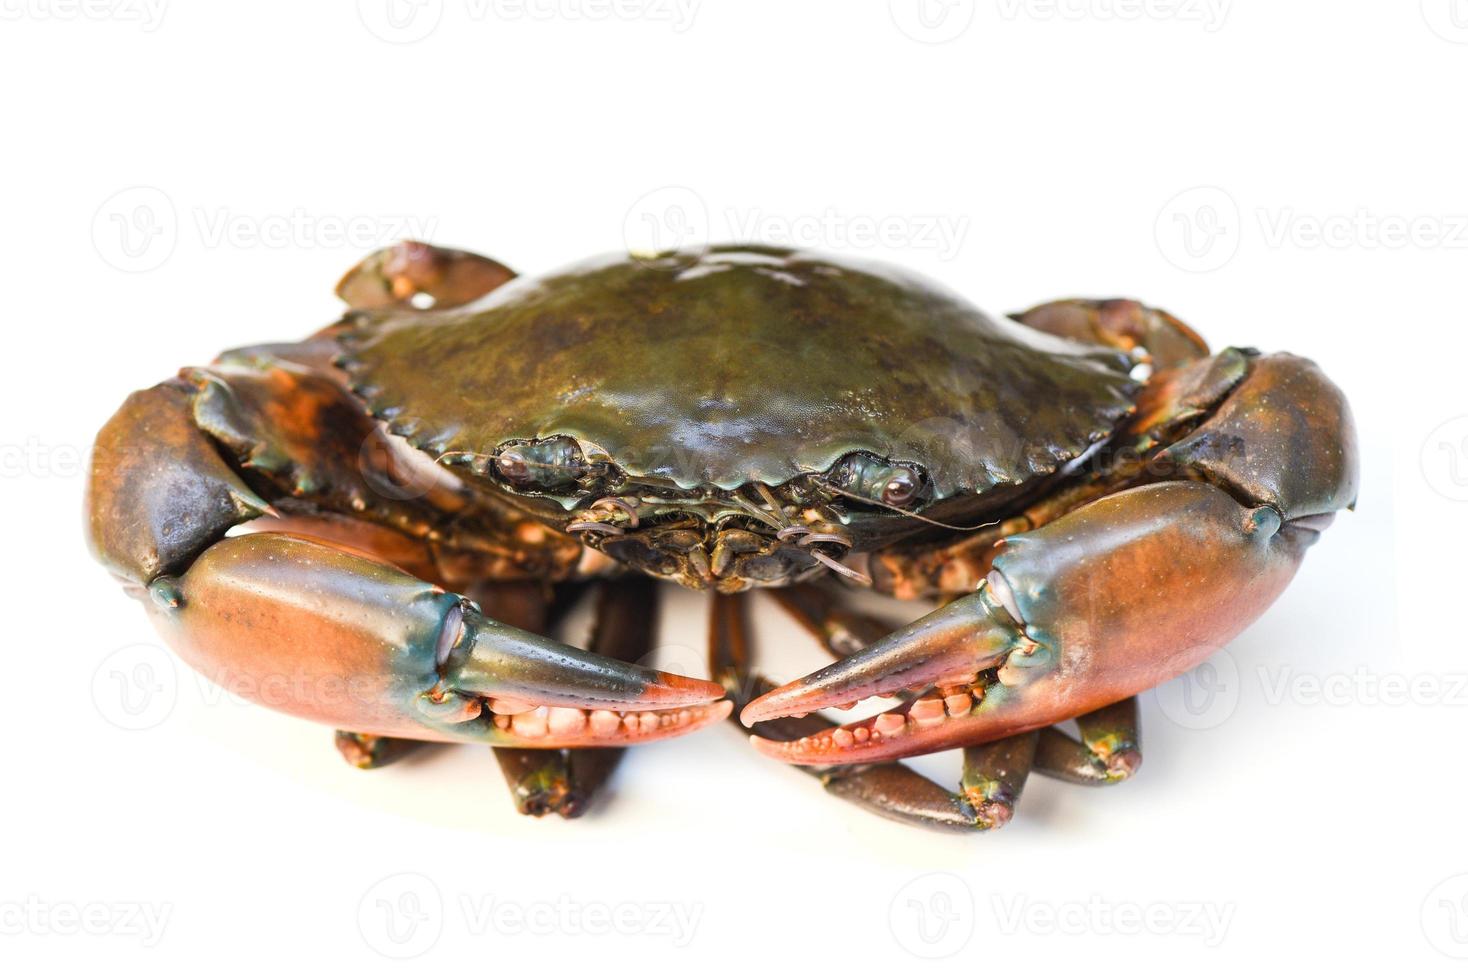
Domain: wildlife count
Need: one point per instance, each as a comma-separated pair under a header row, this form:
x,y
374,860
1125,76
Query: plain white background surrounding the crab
x,y
178,180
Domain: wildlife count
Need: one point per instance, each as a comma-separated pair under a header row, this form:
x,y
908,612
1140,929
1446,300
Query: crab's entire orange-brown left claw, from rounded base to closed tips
x,y
324,635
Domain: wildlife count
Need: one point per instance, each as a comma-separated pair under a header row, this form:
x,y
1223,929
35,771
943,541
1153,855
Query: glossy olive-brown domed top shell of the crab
x,y
744,365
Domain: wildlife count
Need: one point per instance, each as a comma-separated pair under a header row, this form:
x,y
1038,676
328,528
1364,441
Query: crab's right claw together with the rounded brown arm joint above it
x,y
1109,599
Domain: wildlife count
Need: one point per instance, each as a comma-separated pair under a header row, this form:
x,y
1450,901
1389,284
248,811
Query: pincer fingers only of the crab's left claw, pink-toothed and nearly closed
x,y
522,689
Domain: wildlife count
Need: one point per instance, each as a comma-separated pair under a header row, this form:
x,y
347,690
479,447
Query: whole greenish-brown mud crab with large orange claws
x,y
379,527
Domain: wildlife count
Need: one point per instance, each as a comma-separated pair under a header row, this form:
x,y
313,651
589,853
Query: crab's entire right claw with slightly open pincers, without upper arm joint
x,y
1084,612
